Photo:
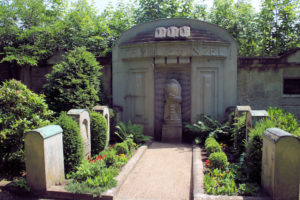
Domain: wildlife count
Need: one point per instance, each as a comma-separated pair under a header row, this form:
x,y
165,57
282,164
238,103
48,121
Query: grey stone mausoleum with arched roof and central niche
x,y
200,57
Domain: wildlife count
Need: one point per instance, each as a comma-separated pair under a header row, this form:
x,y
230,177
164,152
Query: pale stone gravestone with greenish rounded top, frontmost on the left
x,y
44,158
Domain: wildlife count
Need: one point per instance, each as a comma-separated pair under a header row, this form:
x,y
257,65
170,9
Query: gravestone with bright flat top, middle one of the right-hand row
x,y
252,117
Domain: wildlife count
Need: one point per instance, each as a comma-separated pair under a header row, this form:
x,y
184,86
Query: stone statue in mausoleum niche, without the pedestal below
x,y
172,112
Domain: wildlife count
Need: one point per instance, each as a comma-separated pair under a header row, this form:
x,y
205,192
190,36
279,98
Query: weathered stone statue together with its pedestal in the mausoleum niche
x,y
172,126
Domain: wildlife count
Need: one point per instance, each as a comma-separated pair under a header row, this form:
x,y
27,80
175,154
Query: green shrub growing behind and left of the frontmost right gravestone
x,y
277,118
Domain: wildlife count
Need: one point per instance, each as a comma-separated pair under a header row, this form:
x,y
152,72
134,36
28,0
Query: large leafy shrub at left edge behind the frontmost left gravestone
x,y
21,110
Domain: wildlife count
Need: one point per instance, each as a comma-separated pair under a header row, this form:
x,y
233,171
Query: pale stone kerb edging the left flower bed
x,y
59,191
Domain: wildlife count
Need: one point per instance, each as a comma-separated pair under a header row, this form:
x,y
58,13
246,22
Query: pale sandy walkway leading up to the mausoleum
x,y
163,173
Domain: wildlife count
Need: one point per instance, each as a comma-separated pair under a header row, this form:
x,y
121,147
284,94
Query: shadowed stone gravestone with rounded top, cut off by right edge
x,y
281,164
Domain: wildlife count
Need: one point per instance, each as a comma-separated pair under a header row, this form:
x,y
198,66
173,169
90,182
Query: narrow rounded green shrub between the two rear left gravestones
x,y
99,133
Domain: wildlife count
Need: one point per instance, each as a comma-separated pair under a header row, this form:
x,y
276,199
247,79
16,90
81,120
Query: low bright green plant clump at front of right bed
x,y
219,182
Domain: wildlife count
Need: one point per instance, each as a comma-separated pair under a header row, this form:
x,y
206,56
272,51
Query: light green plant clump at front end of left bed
x,y
92,177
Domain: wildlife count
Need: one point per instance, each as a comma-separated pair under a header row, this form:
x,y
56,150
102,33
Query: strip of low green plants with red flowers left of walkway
x,y
97,175
